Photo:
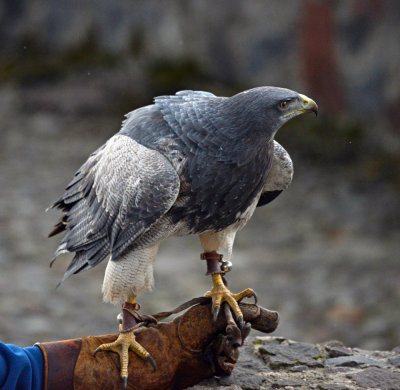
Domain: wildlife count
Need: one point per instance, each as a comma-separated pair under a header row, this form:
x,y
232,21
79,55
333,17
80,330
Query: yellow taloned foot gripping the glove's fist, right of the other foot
x,y
219,294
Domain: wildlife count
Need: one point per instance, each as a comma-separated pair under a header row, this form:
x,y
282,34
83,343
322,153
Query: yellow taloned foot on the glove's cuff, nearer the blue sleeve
x,y
126,341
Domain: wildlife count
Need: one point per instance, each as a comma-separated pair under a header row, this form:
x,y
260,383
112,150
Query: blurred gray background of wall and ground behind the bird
x,y
325,254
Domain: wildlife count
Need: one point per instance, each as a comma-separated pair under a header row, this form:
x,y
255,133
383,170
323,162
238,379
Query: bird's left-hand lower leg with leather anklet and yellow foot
x,y
126,340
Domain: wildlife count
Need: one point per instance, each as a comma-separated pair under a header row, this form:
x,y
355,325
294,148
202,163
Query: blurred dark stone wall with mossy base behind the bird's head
x,y
344,54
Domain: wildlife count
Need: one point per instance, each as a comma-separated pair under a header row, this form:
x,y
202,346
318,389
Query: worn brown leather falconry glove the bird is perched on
x,y
187,350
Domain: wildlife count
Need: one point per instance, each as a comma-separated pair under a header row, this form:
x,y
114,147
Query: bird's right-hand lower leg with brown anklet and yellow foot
x,y
220,293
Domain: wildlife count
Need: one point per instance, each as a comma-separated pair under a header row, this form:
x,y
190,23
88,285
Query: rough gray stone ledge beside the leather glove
x,y
274,363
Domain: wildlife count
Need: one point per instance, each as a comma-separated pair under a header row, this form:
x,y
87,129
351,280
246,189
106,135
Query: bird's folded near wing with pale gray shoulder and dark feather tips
x,y
118,194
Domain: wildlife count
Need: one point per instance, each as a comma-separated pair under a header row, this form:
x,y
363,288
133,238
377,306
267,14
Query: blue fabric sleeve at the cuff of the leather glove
x,y
21,368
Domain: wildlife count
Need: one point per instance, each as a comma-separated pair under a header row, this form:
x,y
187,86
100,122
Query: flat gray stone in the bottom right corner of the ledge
x,y
377,378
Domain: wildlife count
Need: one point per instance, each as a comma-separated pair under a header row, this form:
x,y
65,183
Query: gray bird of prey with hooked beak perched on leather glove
x,y
190,163
